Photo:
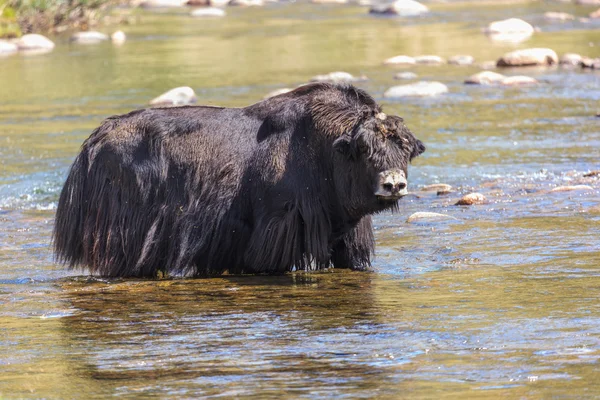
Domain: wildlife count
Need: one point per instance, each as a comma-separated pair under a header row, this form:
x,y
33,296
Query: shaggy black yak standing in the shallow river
x,y
288,183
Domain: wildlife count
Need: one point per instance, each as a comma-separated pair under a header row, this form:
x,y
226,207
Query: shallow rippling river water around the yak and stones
x,y
502,301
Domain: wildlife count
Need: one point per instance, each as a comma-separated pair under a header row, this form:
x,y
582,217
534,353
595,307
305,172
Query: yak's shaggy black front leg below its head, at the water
x,y
354,249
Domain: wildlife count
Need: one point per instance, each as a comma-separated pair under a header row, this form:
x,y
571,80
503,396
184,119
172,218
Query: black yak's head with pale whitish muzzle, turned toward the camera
x,y
371,151
